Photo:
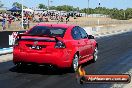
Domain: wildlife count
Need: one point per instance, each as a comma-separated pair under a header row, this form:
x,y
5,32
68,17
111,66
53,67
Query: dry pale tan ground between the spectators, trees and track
x,y
81,21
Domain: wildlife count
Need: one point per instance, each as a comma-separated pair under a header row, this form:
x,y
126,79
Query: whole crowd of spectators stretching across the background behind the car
x,y
28,17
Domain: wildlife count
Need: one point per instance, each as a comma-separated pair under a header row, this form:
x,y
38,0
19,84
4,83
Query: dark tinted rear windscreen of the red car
x,y
50,31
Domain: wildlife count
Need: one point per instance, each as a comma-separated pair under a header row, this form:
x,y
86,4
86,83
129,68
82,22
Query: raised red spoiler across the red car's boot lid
x,y
19,36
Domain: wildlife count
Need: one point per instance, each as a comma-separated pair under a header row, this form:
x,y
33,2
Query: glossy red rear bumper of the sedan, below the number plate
x,y
59,59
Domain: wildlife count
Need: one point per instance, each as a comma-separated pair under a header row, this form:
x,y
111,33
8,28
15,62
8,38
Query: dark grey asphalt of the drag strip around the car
x,y
115,57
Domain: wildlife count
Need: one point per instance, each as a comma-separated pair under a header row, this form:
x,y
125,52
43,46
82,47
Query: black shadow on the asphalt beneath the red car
x,y
44,70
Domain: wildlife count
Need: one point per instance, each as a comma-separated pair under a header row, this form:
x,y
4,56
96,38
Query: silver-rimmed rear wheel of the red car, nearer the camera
x,y
74,66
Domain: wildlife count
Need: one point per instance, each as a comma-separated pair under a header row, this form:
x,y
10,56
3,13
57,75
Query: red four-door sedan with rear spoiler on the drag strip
x,y
59,45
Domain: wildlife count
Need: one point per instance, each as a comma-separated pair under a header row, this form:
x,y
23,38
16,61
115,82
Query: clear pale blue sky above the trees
x,y
121,4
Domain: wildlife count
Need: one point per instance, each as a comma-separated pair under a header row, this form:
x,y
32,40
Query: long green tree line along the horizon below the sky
x,y
114,13
